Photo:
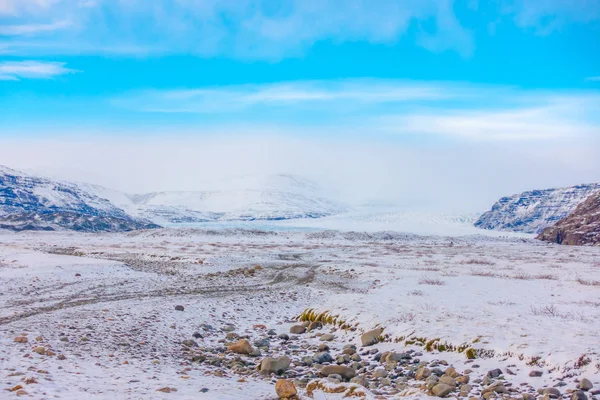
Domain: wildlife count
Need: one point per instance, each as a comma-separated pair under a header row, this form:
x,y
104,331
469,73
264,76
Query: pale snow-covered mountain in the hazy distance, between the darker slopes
x,y
253,197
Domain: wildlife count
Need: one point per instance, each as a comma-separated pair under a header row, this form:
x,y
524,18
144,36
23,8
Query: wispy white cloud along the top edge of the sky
x,y
250,29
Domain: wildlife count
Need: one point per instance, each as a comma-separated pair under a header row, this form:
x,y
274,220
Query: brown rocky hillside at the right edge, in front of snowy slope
x,y
579,228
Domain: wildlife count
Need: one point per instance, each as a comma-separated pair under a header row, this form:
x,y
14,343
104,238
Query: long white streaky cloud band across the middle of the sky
x,y
457,110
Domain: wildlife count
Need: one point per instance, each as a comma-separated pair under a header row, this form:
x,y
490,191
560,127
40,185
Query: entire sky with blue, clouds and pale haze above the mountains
x,y
438,105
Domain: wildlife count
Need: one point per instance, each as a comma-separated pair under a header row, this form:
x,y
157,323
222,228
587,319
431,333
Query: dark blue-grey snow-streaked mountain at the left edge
x,y
28,202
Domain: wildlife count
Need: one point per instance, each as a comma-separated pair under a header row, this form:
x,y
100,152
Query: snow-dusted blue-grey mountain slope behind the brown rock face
x,y
531,212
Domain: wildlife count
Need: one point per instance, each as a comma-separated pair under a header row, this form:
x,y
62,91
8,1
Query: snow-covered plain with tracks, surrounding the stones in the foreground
x,y
106,304
